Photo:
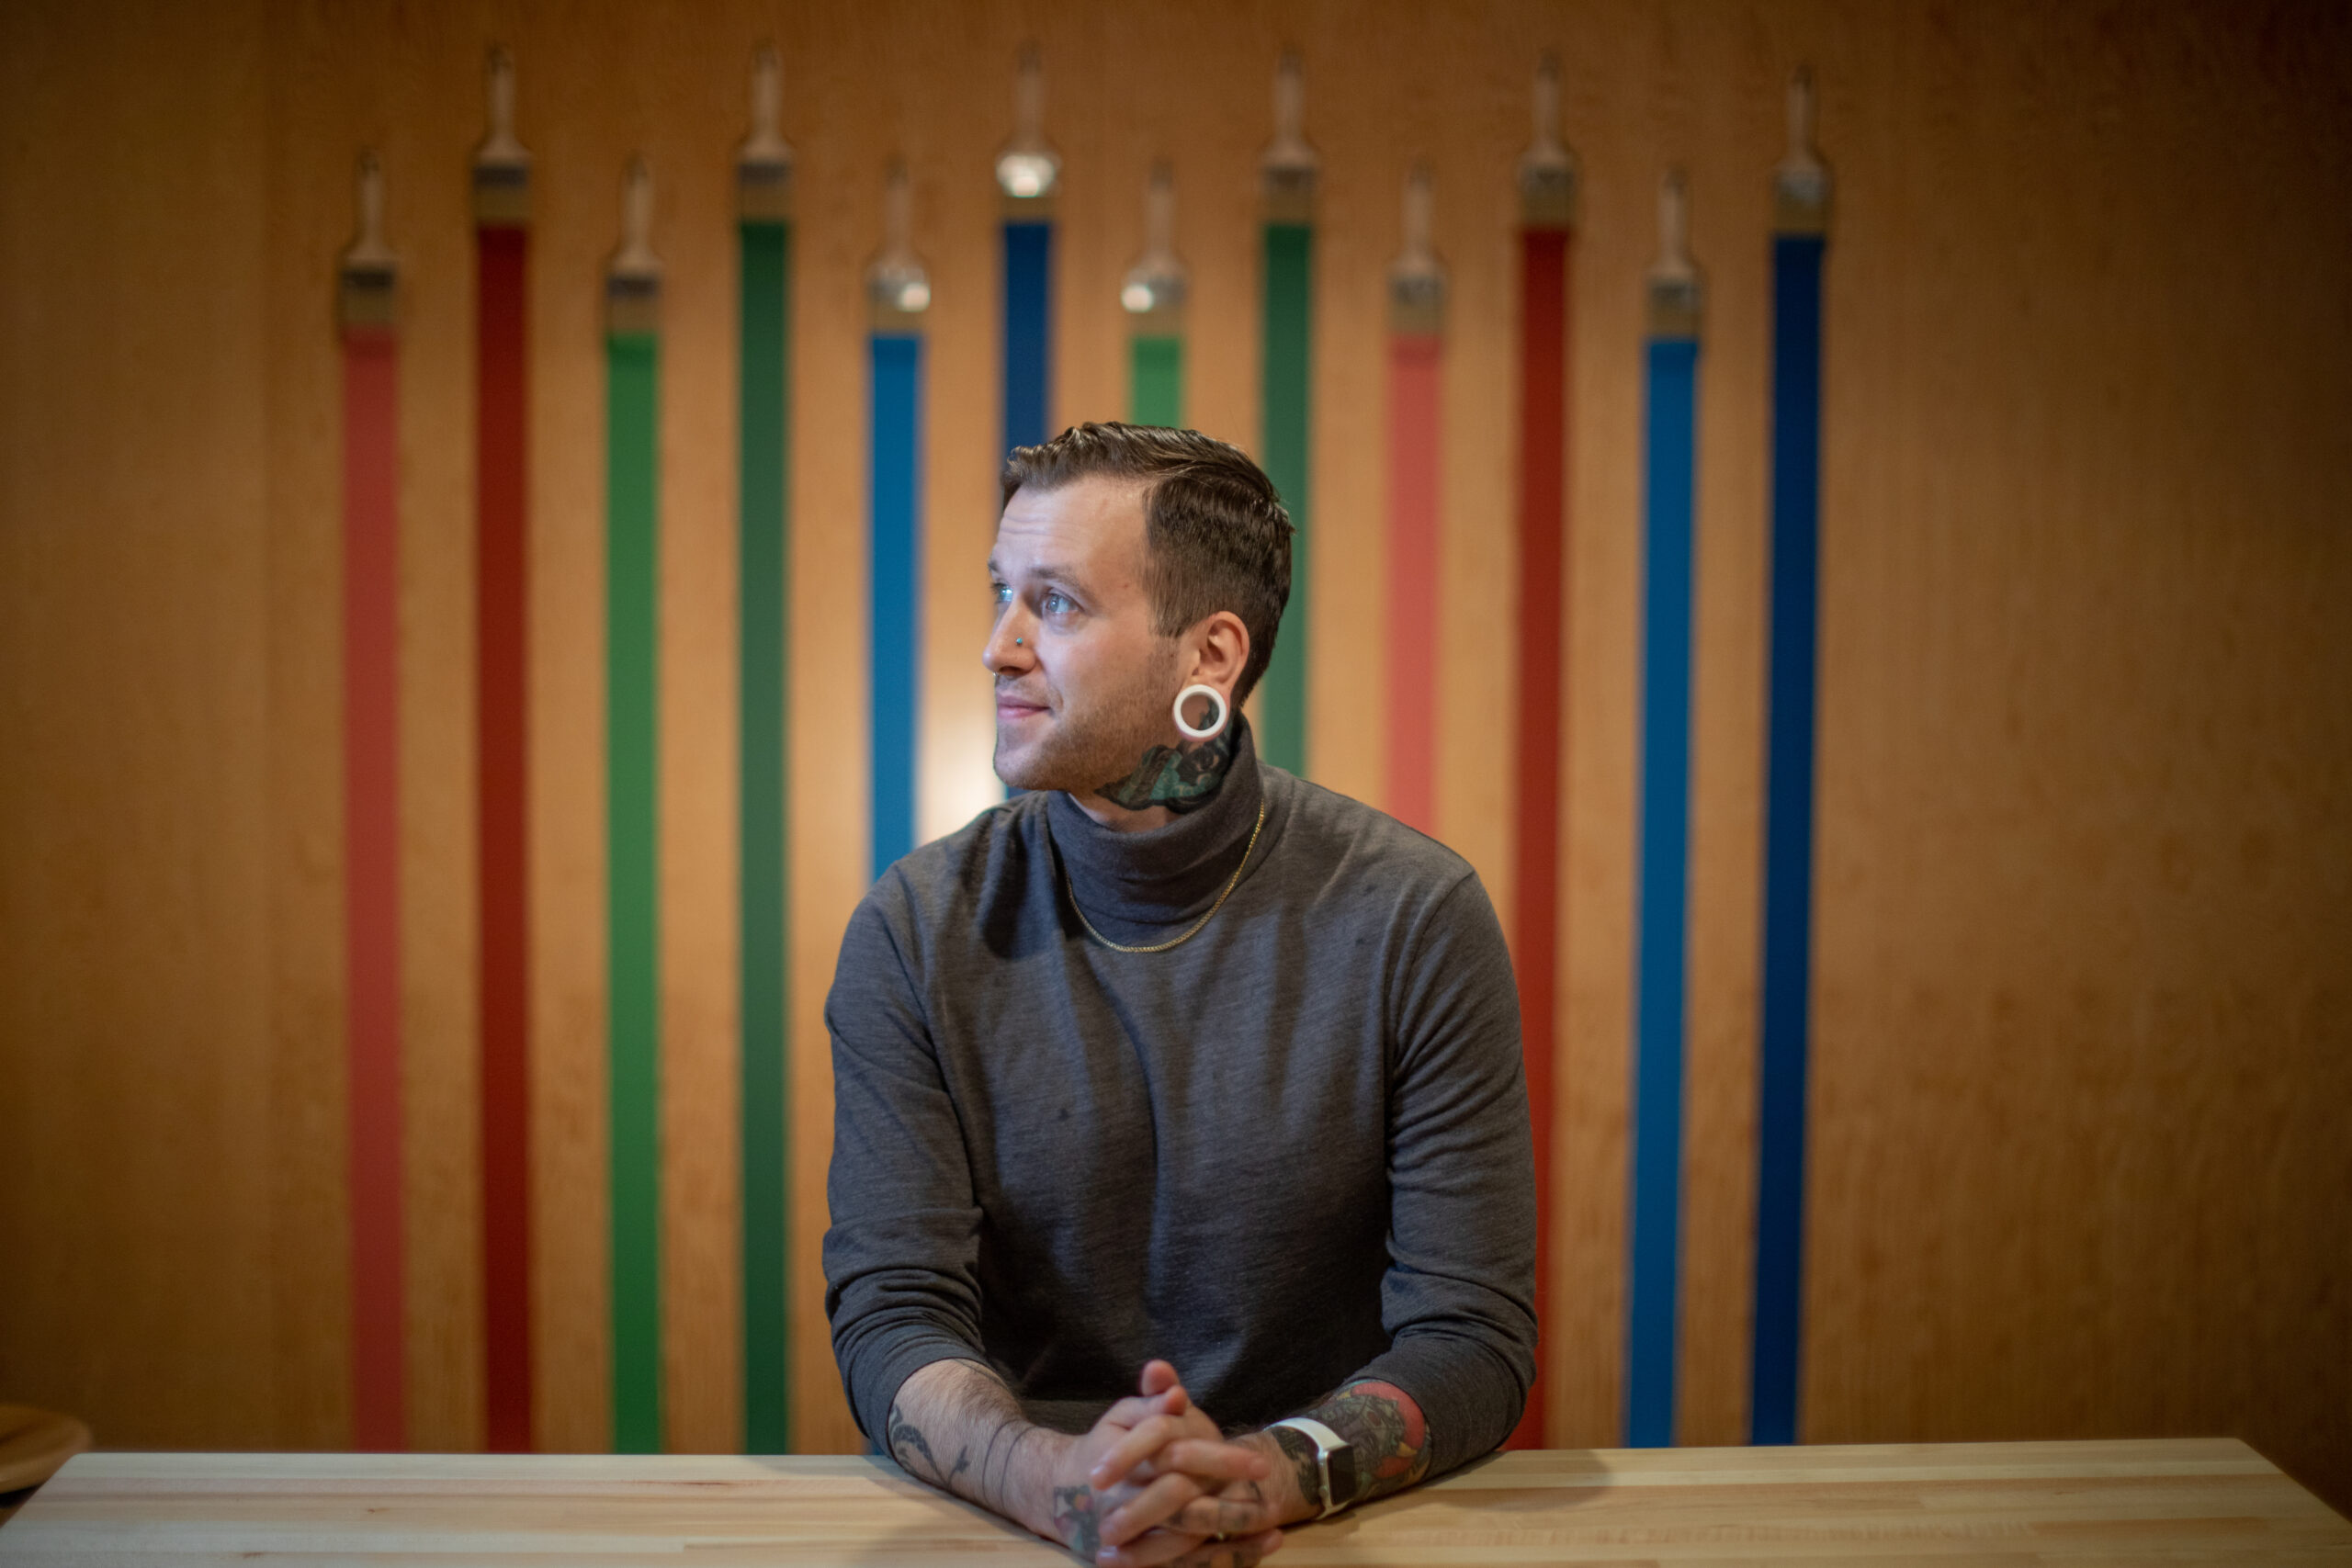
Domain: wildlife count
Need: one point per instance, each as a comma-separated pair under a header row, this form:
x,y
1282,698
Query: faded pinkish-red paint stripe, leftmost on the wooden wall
x,y
373,880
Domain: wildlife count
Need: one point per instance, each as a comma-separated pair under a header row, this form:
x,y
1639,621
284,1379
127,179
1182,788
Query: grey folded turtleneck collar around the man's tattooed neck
x,y
1168,873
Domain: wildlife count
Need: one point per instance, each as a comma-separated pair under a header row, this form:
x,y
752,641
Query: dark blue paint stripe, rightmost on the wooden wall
x,y
1789,833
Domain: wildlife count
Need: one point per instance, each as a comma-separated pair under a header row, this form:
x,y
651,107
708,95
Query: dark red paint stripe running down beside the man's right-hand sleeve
x,y
1539,791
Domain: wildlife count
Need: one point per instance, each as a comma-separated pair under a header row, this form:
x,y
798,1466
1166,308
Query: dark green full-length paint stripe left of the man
x,y
766,876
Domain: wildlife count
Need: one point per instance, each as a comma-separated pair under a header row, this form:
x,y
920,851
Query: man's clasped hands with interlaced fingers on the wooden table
x,y
1158,1487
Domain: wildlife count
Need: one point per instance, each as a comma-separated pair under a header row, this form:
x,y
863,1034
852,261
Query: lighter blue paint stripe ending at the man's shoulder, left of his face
x,y
895,587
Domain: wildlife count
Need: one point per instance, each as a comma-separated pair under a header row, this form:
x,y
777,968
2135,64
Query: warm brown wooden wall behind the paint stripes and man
x,y
2085,1066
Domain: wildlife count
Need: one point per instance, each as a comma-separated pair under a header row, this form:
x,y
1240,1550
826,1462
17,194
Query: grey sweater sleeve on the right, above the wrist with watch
x,y
1462,1278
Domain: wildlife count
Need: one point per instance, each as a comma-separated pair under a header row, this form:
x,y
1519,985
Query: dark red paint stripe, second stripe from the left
x,y
502,629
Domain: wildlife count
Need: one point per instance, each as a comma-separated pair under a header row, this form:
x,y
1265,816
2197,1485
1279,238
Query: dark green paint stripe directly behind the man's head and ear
x,y
1285,450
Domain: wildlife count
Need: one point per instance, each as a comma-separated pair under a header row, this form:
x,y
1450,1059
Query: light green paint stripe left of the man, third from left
x,y
632,793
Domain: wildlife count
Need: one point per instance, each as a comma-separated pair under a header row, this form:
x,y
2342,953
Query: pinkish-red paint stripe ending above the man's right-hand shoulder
x,y
1415,377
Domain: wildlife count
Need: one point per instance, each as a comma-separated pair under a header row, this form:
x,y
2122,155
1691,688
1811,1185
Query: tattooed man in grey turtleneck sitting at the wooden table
x,y
1175,1061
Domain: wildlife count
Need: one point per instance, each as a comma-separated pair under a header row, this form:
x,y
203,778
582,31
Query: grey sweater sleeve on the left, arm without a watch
x,y
902,1257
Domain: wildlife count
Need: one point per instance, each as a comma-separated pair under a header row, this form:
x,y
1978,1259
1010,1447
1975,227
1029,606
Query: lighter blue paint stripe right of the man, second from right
x,y
1669,467
